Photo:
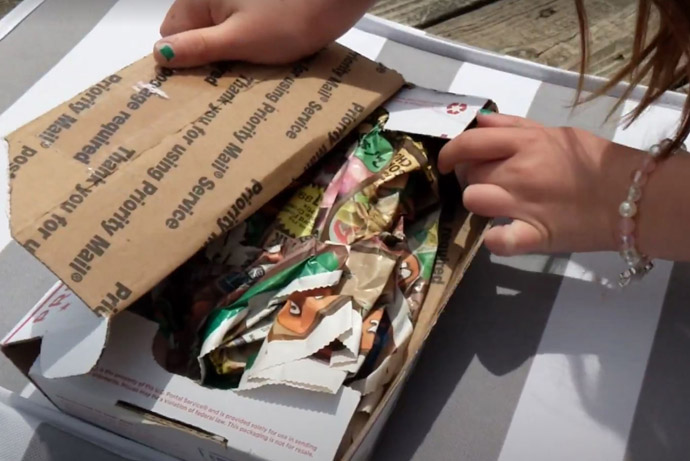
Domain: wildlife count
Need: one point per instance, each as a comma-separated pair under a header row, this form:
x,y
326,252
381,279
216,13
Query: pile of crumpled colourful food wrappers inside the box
x,y
322,286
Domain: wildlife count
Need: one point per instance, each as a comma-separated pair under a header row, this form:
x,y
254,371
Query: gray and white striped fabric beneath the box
x,y
535,358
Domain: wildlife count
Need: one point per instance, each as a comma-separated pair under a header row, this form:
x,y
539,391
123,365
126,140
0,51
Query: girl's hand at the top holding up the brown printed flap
x,y
197,32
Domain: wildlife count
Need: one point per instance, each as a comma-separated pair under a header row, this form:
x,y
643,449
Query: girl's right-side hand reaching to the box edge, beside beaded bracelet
x,y
561,186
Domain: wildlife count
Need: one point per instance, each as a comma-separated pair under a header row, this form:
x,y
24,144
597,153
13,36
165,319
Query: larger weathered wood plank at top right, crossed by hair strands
x,y
546,31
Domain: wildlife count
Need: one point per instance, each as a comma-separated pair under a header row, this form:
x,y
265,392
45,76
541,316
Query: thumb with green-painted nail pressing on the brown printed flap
x,y
198,47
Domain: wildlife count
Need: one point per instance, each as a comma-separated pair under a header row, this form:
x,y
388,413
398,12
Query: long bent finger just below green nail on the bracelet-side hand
x,y
481,144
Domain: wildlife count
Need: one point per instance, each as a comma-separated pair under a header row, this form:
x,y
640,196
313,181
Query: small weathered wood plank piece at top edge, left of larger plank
x,y
423,13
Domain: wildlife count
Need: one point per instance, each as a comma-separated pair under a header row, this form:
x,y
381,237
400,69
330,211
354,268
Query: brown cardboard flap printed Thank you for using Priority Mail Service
x,y
115,188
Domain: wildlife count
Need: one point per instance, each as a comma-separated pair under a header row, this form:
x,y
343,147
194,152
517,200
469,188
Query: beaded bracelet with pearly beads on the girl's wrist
x,y
638,263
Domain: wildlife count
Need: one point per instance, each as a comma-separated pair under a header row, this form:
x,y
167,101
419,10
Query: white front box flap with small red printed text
x,y
261,422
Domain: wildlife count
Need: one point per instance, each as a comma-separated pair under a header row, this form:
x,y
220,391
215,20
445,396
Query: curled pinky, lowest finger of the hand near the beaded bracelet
x,y
518,237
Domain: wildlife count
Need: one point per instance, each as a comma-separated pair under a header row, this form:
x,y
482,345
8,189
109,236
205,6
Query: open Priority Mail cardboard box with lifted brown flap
x,y
117,187
